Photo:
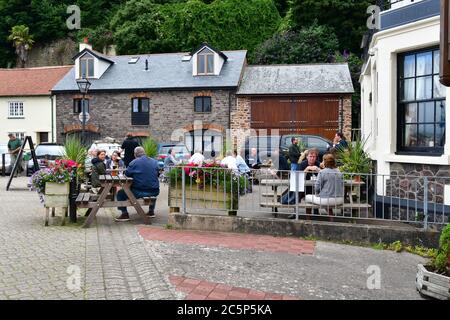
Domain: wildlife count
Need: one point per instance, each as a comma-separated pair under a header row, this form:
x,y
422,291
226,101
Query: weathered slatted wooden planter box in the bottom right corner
x,y
432,284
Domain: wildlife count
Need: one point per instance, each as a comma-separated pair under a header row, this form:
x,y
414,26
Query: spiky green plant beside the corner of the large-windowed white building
x,y
354,160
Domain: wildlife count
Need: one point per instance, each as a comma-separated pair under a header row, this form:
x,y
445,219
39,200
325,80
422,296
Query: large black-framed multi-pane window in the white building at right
x,y
421,103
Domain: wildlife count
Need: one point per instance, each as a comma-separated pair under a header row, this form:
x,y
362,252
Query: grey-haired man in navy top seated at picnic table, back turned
x,y
144,171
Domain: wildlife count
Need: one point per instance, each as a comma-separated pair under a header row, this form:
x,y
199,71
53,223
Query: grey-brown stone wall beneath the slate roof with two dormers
x,y
171,113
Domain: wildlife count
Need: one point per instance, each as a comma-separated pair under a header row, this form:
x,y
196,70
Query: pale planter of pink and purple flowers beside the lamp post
x,y
52,183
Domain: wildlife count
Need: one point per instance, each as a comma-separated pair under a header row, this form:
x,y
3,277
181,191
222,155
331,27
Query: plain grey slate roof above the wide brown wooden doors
x,y
296,79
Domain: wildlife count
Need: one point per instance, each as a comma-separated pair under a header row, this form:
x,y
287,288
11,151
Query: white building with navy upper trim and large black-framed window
x,y
403,107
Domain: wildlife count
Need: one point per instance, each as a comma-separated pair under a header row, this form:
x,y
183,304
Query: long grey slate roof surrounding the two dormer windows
x,y
165,71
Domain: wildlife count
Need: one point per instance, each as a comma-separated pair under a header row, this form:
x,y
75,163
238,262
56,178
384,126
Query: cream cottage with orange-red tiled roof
x,y
26,104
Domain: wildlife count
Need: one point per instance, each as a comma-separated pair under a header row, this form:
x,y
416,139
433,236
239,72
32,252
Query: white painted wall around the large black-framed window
x,y
383,111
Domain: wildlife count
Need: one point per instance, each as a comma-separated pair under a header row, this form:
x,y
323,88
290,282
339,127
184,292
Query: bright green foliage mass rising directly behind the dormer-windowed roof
x,y
143,26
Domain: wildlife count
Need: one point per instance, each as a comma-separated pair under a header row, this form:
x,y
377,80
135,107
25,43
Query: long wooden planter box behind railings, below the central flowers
x,y
208,198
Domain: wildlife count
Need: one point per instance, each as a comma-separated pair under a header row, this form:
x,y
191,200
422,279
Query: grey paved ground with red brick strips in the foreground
x,y
128,261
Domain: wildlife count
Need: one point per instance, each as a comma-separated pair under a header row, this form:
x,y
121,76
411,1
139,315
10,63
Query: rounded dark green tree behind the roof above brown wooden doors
x,y
308,45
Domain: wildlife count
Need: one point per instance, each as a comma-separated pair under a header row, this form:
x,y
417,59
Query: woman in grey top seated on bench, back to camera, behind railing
x,y
329,185
